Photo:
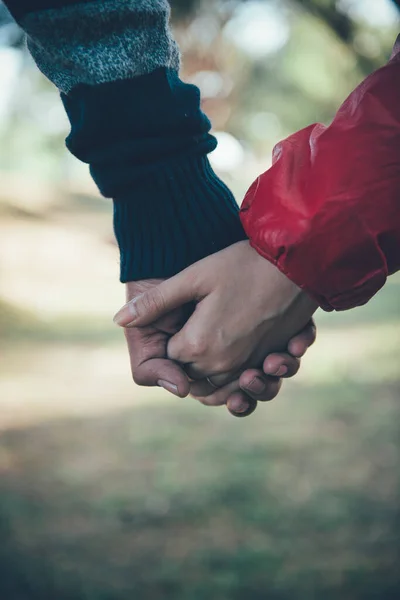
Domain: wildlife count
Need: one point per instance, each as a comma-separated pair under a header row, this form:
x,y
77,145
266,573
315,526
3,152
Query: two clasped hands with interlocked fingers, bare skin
x,y
225,330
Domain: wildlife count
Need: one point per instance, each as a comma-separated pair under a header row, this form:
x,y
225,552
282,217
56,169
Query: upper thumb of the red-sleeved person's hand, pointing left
x,y
157,301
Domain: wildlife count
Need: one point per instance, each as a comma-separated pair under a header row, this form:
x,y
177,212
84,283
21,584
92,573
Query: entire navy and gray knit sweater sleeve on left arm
x,y
138,126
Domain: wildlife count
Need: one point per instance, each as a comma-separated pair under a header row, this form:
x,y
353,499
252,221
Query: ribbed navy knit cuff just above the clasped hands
x,y
174,218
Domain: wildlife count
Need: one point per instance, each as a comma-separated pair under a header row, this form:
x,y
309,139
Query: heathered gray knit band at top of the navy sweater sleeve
x,y
98,42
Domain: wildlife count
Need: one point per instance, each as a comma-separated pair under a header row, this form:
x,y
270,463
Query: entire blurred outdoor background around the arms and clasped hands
x,y
113,492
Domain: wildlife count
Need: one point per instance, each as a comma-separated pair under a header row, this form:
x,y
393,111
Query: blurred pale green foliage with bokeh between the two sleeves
x,y
324,52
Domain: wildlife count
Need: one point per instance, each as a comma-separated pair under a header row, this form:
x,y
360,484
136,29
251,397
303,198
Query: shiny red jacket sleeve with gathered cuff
x,y
327,212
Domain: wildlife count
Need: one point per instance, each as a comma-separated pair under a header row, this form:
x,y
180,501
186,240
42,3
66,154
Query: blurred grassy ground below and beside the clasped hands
x,y
109,492
